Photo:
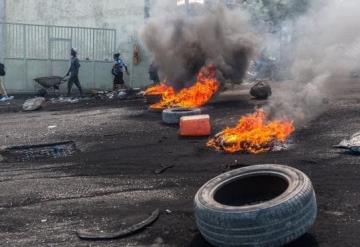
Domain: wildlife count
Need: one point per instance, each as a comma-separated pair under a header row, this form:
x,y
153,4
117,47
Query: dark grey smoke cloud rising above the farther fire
x,y
181,44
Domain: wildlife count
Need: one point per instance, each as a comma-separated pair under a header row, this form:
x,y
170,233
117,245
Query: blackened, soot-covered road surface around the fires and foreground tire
x,y
111,183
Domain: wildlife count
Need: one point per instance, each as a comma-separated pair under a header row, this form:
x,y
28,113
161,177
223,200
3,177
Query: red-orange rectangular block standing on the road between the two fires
x,y
193,126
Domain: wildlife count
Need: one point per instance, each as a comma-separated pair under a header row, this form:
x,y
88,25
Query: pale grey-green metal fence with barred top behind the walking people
x,y
37,50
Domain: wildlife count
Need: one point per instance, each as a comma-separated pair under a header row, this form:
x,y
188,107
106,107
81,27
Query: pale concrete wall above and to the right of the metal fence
x,y
126,16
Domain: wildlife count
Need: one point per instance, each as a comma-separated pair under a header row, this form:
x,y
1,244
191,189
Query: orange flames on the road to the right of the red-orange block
x,y
253,134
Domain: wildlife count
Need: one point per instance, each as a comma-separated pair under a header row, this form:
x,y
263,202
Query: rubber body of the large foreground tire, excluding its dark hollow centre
x,y
292,213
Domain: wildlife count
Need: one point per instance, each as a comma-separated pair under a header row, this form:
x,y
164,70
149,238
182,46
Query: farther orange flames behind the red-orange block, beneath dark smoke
x,y
195,96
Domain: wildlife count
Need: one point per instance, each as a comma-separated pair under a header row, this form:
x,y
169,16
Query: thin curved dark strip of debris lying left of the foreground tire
x,y
82,234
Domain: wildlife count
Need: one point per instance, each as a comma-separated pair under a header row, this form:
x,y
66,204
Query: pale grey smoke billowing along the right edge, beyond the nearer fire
x,y
327,56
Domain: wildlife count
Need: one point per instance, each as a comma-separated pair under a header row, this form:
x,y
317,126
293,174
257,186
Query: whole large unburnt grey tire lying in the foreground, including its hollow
x,y
264,205
